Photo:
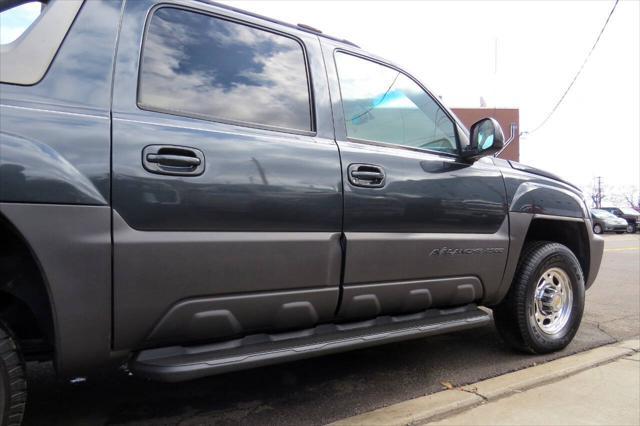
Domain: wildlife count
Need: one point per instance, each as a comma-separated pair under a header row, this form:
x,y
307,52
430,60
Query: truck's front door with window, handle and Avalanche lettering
x,y
423,229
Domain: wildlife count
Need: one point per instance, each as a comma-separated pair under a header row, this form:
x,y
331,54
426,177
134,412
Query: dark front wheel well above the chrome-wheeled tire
x,y
571,234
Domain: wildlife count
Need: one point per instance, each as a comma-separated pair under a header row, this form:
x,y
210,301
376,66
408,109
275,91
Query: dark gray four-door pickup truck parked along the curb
x,y
189,189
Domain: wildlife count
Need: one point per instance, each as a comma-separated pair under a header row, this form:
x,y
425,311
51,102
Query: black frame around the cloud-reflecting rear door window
x,y
178,113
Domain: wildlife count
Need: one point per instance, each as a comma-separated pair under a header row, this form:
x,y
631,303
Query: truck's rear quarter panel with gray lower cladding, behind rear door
x,y
55,174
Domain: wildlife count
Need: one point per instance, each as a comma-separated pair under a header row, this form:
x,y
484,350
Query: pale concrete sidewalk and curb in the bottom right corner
x,y
600,386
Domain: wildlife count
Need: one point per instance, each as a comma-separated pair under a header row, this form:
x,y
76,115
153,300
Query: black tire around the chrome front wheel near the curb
x,y
514,316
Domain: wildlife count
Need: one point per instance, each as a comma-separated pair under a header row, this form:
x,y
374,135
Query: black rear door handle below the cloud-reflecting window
x,y
173,160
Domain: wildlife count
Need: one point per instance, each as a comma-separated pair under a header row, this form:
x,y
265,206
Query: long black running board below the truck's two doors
x,y
179,363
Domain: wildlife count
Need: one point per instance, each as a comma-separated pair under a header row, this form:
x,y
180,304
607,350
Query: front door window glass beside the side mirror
x,y
381,104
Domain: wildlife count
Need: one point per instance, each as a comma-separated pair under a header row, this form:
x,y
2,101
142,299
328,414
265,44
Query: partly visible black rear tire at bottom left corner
x,y
13,382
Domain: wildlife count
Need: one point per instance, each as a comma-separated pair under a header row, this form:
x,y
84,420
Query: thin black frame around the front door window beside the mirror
x,y
456,125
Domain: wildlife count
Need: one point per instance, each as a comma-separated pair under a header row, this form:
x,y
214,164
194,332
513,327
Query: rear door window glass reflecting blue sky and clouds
x,y
201,66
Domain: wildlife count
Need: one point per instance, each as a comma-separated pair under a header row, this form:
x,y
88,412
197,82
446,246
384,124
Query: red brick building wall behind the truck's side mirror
x,y
505,117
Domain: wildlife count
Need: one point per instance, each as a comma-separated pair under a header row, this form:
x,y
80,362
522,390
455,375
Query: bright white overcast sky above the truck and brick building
x,y
450,47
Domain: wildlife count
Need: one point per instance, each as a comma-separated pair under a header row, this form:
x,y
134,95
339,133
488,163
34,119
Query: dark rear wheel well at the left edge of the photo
x,y
24,301
